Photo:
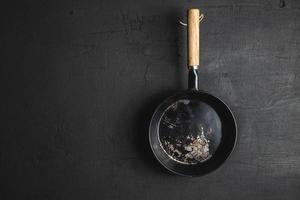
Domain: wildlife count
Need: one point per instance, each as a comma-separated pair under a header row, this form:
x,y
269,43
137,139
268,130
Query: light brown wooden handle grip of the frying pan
x,y
193,30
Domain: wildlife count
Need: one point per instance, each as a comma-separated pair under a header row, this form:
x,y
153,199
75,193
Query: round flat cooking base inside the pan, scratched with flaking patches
x,y
189,131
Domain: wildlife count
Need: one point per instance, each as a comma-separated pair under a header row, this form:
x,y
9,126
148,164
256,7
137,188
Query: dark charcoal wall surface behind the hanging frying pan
x,y
80,80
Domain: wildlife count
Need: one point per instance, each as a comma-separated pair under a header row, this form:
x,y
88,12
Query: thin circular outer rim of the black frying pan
x,y
181,93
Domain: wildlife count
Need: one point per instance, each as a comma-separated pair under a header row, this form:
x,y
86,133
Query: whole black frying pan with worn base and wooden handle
x,y
190,118
